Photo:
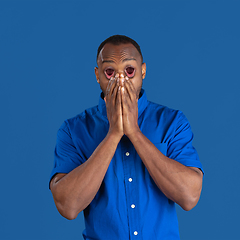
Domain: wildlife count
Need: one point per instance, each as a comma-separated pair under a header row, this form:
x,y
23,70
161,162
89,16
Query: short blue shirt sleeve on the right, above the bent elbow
x,y
180,146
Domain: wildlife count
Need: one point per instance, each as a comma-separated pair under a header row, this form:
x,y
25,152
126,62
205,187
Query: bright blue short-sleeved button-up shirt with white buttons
x,y
128,205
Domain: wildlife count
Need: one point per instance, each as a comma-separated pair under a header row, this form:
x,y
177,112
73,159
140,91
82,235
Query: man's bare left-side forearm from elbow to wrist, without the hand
x,y
74,191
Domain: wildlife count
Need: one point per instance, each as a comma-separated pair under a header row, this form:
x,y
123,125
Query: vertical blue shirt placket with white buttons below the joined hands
x,y
128,154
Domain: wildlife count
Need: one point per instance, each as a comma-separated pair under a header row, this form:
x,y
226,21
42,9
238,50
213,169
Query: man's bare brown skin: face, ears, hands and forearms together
x,y
74,191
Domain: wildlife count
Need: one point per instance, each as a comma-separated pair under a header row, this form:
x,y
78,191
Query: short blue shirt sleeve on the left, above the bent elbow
x,y
66,156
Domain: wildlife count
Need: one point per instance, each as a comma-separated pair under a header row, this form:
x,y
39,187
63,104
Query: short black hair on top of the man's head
x,y
117,40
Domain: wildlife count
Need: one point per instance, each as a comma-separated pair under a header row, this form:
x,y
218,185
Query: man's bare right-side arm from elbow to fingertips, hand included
x,y
179,183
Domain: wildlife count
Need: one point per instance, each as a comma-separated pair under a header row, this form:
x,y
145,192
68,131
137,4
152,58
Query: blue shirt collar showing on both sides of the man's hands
x,y
142,104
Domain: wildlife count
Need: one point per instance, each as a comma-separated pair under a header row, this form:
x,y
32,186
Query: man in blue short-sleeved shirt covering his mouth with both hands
x,y
127,161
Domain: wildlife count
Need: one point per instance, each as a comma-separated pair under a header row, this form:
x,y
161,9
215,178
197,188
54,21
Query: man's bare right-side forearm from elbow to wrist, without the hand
x,y
179,183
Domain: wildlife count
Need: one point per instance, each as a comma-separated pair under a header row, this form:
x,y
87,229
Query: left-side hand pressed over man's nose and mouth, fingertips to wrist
x,y
114,106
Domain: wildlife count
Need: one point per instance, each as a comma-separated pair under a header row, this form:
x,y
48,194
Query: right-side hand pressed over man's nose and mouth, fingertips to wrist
x,y
129,108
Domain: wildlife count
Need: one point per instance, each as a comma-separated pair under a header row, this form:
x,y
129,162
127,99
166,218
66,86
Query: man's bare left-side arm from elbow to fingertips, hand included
x,y
74,191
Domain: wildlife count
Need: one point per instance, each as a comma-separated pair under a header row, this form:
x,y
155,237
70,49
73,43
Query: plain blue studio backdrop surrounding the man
x,y
47,60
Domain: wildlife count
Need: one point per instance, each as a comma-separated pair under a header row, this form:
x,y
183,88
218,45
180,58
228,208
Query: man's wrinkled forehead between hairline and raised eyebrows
x,y
118,52
